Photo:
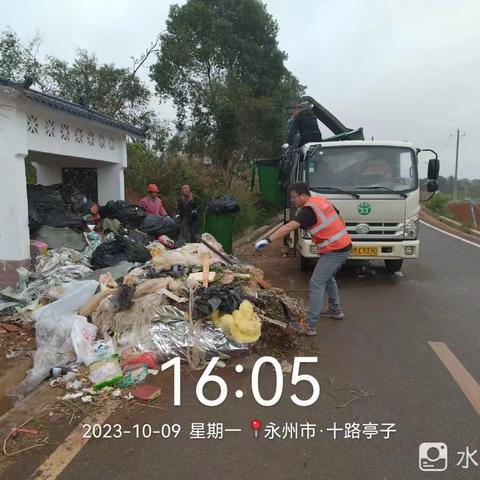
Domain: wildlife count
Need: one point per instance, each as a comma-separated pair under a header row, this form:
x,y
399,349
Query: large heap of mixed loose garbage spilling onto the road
x,y
112,327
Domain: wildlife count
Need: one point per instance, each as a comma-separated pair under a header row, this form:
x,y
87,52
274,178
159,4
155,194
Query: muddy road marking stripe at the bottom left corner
x,y
54,465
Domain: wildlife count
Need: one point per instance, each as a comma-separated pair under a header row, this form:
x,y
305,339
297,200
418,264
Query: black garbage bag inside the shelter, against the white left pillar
x,y
46,206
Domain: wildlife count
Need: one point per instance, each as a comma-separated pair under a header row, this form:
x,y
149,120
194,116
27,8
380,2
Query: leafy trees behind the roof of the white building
x,y
105,88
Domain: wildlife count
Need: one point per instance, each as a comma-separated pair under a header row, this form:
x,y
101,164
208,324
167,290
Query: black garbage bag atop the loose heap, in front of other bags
x,y
109,254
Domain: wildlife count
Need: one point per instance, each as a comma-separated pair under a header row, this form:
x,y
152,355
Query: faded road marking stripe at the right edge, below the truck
x,y
460,374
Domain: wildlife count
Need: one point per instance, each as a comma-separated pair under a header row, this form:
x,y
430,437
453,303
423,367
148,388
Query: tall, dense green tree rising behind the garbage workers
x,y
220,63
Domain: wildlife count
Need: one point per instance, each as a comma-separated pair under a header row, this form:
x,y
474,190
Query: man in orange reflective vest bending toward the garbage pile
x,y
327,230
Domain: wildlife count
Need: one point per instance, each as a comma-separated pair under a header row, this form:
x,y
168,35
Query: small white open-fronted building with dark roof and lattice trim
x,y
53,134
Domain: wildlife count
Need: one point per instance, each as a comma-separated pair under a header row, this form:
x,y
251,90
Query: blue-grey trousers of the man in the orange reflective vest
x,y
323,280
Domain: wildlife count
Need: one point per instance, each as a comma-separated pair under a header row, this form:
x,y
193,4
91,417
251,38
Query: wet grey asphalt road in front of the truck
x,y
380,348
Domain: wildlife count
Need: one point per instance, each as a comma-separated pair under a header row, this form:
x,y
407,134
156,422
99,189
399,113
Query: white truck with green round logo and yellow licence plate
x,y
375,187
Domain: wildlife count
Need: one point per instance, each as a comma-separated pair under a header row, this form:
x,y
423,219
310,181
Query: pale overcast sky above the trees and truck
x,y
402,69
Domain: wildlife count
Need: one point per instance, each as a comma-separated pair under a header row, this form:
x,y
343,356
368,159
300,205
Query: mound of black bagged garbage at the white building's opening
x,y
62,217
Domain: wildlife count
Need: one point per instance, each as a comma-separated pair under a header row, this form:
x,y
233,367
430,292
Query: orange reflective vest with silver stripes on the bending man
x,y
329,232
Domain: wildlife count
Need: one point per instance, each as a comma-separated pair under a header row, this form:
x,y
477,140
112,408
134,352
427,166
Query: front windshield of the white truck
x,y
362,168
